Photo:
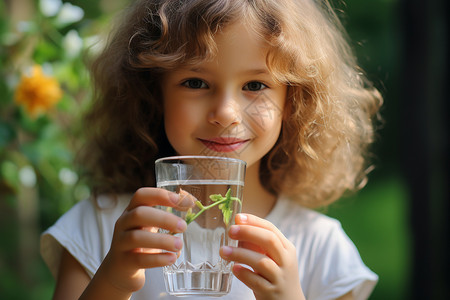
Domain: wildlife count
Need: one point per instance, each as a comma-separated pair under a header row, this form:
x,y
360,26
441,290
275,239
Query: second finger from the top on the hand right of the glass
x,y
266,240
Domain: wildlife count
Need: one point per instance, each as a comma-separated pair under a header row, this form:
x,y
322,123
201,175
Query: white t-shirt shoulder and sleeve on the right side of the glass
x,y
329,262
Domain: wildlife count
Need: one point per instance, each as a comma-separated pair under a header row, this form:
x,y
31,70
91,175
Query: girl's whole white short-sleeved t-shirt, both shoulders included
x,y
328,262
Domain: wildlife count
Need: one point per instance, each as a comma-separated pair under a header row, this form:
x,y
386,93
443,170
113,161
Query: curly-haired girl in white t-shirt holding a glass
x,y
272,82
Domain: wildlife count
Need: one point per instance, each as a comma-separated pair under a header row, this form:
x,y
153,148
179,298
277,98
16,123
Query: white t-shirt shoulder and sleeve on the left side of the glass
x,y
85,231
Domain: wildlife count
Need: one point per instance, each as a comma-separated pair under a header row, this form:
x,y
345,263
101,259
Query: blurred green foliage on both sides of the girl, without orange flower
x,y
39,178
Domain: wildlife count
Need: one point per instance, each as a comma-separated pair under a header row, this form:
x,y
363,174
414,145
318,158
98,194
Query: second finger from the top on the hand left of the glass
x,y
145,216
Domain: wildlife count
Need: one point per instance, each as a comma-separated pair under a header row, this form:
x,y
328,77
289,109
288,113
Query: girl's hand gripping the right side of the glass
x,y
271,256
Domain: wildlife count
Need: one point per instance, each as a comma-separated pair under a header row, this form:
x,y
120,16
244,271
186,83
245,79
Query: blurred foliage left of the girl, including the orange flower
x,y
39,179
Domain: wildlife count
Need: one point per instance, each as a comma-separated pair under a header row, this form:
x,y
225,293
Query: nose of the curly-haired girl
x,y
226,111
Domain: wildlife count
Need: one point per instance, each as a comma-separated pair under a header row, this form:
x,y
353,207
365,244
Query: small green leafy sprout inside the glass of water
x,y
224,204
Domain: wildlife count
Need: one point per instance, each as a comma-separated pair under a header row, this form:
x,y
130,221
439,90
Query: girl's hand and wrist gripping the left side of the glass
x,y
136,243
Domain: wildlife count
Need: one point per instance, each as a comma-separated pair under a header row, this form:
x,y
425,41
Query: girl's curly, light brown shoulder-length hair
x,y
323,147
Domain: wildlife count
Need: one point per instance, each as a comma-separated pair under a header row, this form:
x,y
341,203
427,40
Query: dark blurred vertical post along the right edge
x,y
425,139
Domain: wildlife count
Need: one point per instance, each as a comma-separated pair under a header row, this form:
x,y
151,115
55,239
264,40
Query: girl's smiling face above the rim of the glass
x,y
227,106
